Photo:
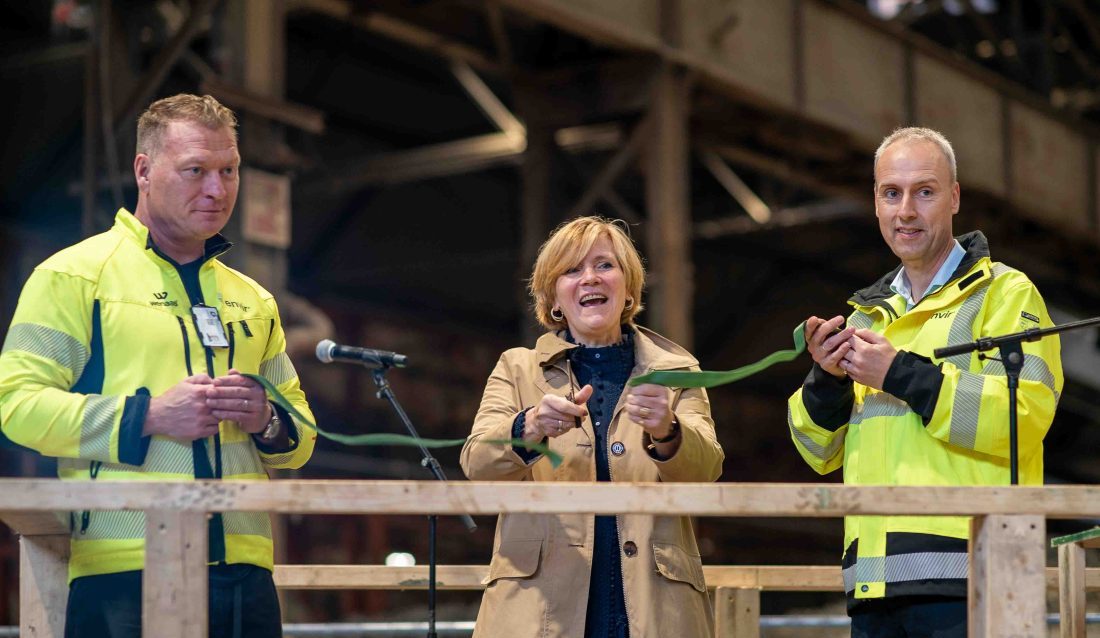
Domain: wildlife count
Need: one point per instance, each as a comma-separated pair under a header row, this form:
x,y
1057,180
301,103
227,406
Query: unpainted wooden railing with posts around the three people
x,y
1008,582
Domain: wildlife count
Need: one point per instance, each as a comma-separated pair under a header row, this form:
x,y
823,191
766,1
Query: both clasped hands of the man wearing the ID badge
x,y
193,409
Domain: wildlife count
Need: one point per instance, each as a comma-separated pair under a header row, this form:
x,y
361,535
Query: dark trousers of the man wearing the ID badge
x,y
244,604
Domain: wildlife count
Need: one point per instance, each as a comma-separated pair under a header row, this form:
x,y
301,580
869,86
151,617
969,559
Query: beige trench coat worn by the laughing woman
x,y
538,580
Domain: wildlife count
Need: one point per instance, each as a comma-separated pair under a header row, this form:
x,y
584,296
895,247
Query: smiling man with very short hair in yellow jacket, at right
x,y
878,405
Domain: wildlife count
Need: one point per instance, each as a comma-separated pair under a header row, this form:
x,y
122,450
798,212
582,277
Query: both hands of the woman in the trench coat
x,y
647,405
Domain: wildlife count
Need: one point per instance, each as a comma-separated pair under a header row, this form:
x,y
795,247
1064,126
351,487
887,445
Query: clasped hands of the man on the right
x,y
862,355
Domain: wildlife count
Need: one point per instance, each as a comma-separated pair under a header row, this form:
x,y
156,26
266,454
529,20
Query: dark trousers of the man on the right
x,y
910,618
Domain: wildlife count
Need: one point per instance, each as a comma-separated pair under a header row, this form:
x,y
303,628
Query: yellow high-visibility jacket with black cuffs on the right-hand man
x,y
936,423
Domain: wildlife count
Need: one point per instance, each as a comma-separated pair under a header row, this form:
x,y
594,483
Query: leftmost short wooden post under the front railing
x,y
43,586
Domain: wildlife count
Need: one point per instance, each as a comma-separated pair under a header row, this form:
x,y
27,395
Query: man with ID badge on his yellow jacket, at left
x,y
125,361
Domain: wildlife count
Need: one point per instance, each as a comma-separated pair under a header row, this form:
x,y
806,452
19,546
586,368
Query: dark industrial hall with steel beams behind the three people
x,y
431,146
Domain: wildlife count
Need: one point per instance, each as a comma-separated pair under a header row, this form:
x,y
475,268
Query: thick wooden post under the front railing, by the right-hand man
x,y
1007,556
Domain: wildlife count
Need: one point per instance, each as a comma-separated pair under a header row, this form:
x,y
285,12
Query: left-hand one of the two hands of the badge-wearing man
x,y
182,413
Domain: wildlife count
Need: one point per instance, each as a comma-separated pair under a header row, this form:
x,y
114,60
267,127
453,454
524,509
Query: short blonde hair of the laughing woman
x,y
567,248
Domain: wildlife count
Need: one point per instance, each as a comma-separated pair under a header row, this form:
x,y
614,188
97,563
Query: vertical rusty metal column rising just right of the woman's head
x,y
669,210
